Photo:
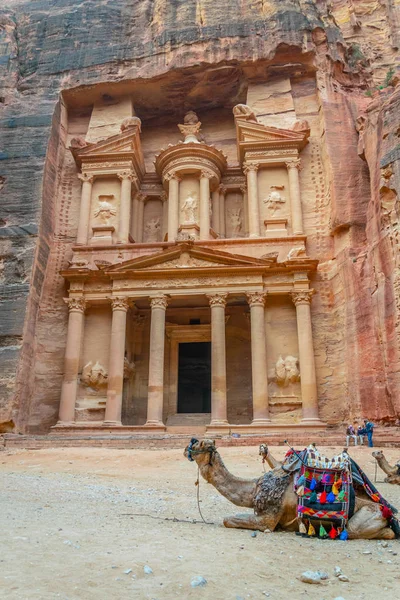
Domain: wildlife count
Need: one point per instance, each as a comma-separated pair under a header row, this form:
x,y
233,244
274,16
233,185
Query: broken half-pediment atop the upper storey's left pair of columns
x,y
117,152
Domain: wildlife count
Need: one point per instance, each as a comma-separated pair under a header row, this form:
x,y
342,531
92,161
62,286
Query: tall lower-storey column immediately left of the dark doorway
x,y
156,364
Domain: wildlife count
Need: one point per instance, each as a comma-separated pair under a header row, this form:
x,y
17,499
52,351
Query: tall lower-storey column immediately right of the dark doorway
x,y
218,360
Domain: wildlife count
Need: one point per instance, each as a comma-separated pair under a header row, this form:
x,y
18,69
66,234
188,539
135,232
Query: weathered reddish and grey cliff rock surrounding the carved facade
x,y
50,46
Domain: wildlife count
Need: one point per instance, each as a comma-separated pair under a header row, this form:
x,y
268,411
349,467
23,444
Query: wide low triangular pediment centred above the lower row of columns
x,y
188,257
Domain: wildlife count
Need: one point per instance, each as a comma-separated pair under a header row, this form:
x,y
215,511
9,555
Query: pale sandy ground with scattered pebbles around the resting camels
x,y
82,523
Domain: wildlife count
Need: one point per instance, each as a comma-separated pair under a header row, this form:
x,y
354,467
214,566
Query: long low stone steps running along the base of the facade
x,y
387,437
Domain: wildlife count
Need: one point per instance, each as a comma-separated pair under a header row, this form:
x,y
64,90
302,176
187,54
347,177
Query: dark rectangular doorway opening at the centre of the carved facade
x,y
194,377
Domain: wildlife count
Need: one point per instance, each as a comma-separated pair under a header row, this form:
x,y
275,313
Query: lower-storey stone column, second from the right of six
x,y
256,302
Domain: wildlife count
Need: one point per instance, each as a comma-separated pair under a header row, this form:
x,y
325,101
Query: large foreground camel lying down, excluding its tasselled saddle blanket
x,y
273,499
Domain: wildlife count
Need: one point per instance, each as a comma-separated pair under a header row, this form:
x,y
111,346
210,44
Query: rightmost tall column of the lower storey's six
x,y
308,380
